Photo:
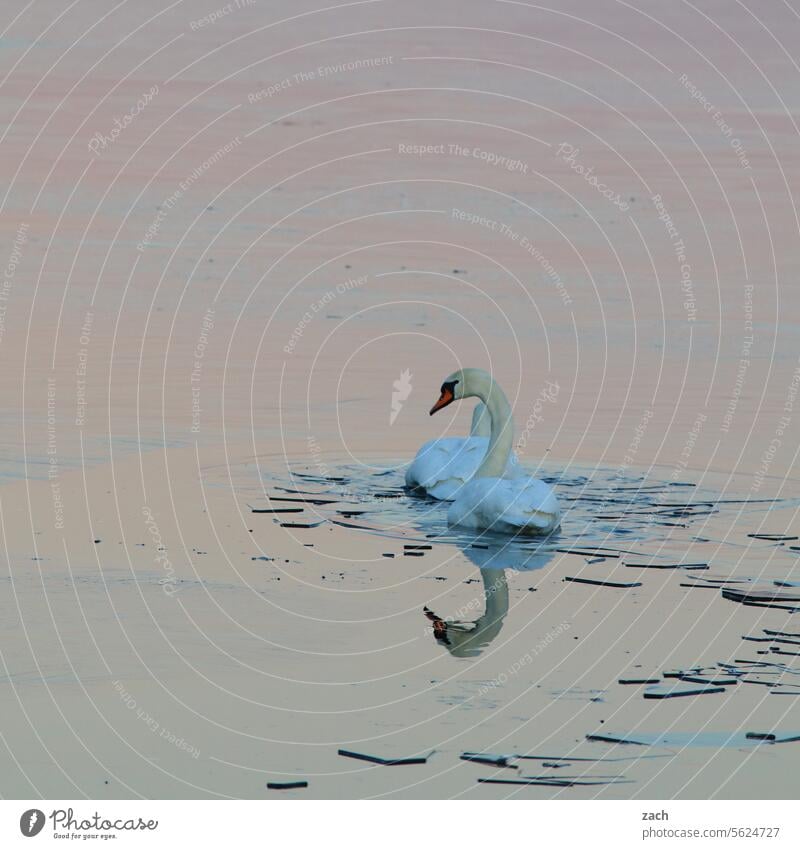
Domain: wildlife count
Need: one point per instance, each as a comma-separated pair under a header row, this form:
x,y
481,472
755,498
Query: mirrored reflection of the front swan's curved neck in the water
x,y
469,637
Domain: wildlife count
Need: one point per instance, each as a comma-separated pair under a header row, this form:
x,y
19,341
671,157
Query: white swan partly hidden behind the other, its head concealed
x,y
443,466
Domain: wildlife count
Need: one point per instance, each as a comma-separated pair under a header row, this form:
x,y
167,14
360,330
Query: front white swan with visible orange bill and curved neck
x,y
491,500
